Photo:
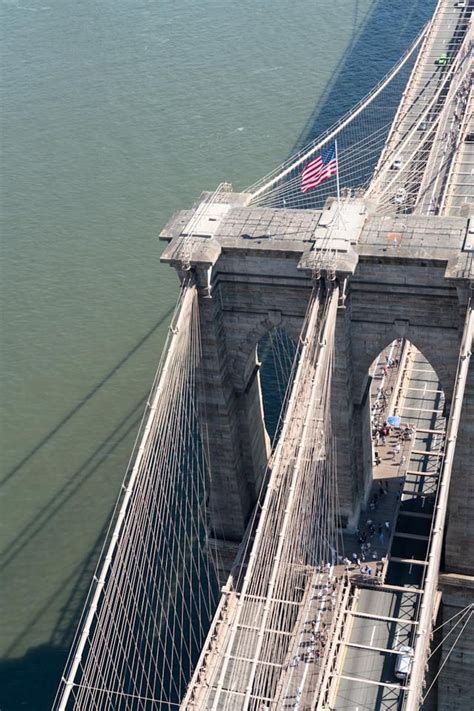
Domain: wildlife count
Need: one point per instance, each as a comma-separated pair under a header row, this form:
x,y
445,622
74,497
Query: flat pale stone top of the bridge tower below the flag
x,y
347,232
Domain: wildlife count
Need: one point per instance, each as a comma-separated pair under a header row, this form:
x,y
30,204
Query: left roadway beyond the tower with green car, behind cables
x,y
404,158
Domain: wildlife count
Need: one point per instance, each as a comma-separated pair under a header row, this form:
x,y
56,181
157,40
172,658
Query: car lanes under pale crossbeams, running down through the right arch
x,y
382,619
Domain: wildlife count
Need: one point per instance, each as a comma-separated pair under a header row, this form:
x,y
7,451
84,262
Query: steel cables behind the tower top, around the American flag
x,y
375,132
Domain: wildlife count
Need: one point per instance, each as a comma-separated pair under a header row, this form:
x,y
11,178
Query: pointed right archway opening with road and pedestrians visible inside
x,y
403,445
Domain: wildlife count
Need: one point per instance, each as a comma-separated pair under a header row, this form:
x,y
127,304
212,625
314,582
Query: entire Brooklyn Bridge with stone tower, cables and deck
x,y
322,557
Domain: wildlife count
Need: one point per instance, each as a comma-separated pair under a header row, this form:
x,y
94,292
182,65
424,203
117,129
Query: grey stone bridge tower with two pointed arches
x,y
407,276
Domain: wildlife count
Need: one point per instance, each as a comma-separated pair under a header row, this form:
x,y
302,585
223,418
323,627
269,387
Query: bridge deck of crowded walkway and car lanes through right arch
x,y
344,623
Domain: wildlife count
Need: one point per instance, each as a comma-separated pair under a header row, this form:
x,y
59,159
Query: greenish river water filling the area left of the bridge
x,y
115,114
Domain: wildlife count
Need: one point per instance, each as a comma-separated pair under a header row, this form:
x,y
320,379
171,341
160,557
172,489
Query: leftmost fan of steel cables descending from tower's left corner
x,y
155,592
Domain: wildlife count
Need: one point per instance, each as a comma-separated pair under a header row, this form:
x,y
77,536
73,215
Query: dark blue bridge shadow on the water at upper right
x,y
359,70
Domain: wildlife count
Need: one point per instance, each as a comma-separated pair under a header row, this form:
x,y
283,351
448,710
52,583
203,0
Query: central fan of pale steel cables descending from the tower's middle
x,y
296,534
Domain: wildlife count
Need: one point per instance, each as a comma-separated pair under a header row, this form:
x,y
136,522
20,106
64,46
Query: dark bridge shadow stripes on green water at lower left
x,y
31,681
